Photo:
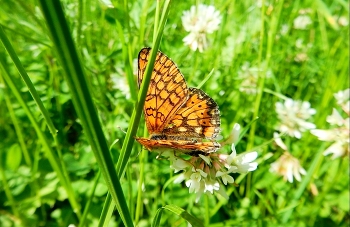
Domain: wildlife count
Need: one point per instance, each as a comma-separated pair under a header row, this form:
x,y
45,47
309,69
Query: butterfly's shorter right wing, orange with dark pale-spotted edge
x,y
199,117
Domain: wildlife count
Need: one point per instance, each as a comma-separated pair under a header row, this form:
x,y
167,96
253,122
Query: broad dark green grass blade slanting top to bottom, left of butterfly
x,y
82,100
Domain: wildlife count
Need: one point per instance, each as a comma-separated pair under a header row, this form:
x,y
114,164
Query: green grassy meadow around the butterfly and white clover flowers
x,y
259,57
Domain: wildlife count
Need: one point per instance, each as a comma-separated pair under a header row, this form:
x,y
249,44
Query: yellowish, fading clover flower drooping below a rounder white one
x,y
288,167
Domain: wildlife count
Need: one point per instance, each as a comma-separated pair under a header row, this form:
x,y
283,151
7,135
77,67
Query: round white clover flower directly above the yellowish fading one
x,y
293,116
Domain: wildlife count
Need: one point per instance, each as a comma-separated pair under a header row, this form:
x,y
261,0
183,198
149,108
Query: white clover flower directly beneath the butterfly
x,y
206,173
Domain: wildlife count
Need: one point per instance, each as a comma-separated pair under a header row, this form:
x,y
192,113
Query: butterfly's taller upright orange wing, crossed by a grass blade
x,y
167,90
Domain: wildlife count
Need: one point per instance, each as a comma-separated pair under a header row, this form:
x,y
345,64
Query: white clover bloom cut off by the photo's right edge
x,y
340,135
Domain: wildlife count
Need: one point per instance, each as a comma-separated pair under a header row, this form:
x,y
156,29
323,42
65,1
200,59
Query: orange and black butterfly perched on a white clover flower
x,y
177,117
